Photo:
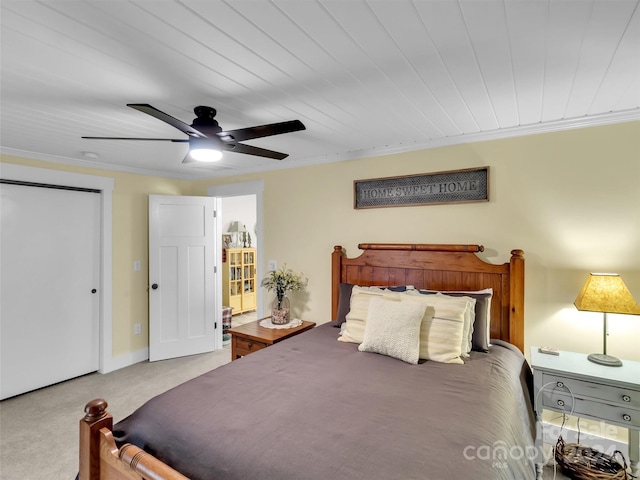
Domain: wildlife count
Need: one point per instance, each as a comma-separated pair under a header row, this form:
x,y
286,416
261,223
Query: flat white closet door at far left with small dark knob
x,y
49,264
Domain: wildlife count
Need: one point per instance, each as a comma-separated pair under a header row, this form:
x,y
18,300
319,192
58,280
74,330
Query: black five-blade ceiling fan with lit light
x,y
207,139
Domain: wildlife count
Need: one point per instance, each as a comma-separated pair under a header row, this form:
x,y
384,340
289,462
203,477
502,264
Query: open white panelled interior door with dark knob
x,y
182,300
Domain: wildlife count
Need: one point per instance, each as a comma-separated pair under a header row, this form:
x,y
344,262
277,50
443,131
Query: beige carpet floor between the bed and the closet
x,y
39,430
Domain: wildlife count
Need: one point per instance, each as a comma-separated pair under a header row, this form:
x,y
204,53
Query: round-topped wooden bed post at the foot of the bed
x,y
96,417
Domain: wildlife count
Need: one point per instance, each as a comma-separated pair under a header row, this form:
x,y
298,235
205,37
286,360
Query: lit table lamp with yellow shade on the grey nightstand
x,y
606,293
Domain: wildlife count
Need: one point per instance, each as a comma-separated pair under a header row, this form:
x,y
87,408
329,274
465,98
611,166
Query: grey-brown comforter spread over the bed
x,y
313,408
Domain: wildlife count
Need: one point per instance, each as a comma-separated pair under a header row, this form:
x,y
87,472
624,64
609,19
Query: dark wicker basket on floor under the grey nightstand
x,y
583,463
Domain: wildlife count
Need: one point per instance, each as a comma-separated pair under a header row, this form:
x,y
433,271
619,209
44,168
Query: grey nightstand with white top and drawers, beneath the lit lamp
x,y
610,394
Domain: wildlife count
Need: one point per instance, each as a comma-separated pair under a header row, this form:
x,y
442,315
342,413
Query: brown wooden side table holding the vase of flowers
x,y
251,337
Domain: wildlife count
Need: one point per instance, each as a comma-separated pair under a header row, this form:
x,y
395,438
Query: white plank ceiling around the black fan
x,y
365,77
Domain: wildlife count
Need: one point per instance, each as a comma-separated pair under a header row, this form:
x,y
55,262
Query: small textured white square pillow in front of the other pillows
x,y
393,329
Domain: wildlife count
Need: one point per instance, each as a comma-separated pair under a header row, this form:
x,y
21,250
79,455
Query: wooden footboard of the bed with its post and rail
x,y
101,459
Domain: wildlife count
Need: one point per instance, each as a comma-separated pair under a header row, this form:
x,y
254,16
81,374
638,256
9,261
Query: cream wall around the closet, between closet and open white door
x,y
130,243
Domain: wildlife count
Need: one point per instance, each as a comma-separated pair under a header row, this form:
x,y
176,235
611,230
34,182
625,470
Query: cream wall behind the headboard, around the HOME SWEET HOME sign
x,y
570,200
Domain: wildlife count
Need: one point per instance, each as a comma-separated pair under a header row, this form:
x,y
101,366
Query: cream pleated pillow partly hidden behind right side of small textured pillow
x,y
442,328
